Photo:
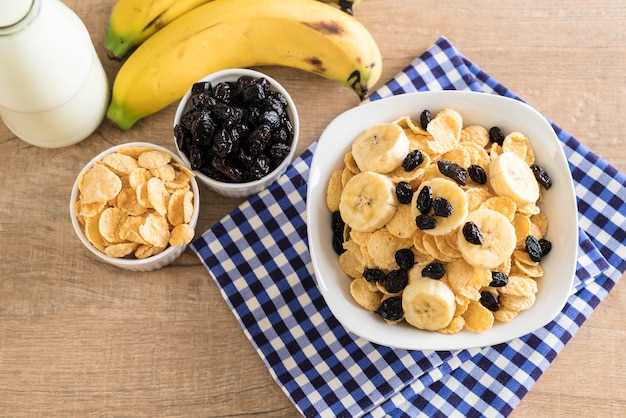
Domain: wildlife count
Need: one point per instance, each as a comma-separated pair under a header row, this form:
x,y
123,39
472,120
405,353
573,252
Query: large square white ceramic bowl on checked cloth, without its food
x,y
476,108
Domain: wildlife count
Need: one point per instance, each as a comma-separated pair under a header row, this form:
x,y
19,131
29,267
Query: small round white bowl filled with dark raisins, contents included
x,y
237,129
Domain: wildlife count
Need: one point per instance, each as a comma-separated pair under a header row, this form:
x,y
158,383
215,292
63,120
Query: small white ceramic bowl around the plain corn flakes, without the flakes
x,y
154,262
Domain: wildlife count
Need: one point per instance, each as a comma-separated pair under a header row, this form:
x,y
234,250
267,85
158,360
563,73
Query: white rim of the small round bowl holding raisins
x,y
232,74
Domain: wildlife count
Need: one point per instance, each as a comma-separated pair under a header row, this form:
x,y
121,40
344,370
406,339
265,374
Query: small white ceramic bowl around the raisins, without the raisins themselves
x,y
249,188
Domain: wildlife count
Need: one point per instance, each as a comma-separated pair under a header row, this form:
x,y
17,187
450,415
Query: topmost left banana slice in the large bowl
x,y
380,148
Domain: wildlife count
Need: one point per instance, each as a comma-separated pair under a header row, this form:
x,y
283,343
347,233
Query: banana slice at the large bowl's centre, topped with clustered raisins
x,y
454,194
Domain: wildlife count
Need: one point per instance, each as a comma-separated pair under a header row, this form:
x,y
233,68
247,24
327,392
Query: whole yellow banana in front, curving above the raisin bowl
x,y
303,34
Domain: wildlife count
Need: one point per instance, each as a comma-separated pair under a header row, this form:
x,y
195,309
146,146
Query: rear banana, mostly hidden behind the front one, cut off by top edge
x,y
133,21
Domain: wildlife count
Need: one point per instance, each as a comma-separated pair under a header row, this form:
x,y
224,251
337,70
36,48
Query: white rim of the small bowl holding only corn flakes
x,y
130,262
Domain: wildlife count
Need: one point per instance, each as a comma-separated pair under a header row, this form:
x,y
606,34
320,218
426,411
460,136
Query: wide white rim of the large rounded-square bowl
x,y
386,110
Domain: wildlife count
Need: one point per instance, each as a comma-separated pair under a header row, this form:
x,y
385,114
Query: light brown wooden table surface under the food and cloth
x,y
80,338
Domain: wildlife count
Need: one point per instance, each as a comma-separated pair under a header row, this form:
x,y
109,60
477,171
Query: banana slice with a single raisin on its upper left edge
x,y
498,236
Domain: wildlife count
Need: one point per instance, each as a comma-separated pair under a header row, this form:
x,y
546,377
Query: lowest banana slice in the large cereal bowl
x,y
428,304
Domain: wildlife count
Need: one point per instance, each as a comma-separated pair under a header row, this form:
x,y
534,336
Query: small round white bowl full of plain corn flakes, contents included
x,y
135,206
